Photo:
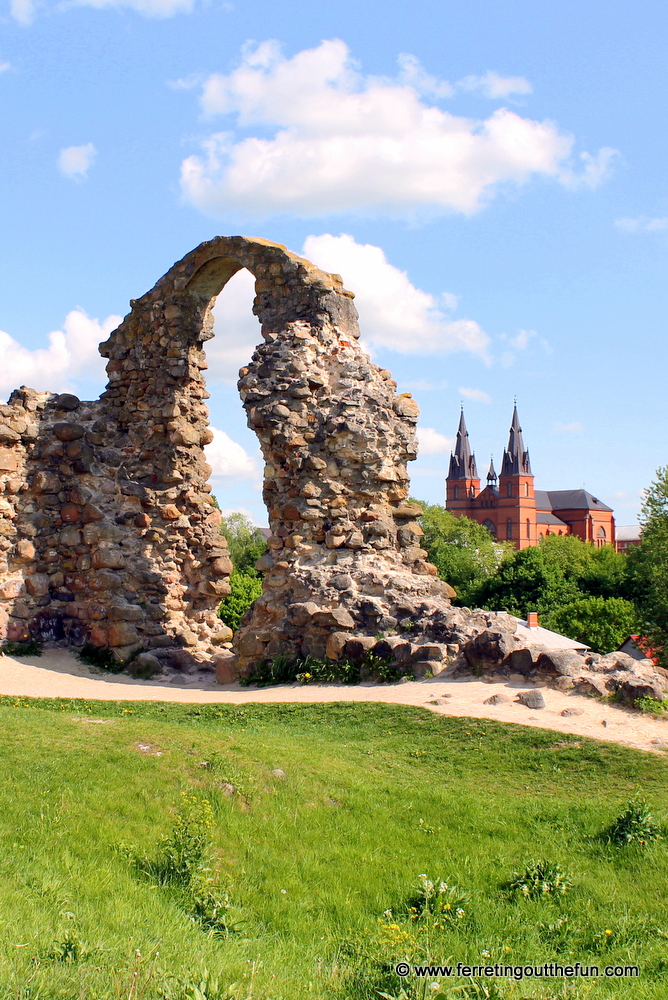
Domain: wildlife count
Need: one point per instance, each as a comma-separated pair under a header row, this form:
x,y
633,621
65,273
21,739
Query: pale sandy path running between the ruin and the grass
x,y
58,674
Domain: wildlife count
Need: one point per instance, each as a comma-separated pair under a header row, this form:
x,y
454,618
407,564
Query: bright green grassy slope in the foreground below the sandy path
x,y
320,866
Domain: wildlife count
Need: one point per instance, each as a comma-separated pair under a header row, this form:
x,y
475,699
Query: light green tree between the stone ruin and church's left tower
x,y
464,552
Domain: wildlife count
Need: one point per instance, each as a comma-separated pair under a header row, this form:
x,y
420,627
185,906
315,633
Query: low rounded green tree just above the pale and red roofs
x,y
599,622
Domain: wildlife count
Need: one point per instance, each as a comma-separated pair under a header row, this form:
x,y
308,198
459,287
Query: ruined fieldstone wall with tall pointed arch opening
x,y
108,533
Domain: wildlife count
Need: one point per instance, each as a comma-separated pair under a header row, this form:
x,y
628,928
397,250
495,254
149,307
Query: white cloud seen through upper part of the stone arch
x,y
237,330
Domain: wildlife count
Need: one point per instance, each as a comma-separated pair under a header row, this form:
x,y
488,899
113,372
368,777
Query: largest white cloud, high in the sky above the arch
x,y
348,142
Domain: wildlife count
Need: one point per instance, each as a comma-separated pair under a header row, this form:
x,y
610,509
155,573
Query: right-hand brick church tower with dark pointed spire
x,y
517,503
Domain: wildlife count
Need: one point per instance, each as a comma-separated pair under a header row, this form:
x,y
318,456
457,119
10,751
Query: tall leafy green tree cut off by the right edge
x,y
648,567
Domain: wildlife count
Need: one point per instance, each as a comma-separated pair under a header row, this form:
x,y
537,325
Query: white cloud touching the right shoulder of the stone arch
x,y
393,313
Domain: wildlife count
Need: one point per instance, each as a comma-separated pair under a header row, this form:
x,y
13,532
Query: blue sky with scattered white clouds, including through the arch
x,y
489,178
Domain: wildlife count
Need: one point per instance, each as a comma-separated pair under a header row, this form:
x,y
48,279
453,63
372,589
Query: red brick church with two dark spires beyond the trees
x,y
509,506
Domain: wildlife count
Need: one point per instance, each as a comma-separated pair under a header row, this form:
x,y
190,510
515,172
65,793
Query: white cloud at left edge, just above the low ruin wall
x,y
72,354
